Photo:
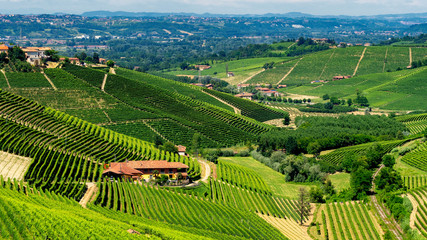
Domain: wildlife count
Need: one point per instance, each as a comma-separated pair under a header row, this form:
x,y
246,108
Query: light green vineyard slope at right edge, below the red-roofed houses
x,y
400,90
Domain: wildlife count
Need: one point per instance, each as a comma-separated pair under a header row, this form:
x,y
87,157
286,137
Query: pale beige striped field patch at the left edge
x,y
13,166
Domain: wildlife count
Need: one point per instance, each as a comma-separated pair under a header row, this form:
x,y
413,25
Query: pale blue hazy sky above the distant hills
x,y
317,7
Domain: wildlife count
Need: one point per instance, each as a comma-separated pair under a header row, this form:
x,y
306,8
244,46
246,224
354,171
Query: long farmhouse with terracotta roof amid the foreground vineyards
x,y
145,170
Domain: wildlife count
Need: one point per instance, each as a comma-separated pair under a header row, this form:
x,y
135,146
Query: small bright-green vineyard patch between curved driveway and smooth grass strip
x,y
241,177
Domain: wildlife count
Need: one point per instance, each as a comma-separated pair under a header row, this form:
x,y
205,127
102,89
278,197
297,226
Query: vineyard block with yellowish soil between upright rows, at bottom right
x,y
348,220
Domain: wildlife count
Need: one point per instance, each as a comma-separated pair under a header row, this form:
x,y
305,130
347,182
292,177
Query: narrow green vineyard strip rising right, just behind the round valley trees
x,y
336,156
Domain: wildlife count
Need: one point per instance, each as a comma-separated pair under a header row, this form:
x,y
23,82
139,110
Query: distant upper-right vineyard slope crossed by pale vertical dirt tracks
x,y
325,65
